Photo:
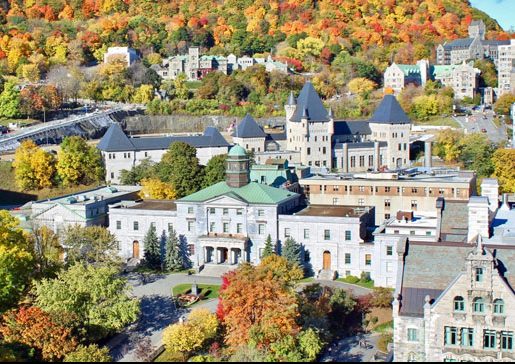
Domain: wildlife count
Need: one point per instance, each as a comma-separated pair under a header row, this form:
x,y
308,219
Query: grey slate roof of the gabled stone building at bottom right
x,y
421,278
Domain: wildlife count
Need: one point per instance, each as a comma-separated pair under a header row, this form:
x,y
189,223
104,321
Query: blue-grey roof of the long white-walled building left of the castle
x,y
117,141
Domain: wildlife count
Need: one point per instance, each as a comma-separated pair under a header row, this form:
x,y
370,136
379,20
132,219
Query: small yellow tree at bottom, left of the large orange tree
x,y
191,335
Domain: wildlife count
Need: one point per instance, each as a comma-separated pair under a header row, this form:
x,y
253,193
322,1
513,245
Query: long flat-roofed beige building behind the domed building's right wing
x,y
390,192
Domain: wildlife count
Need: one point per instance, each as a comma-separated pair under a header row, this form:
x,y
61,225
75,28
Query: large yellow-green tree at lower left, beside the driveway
x,y
97,295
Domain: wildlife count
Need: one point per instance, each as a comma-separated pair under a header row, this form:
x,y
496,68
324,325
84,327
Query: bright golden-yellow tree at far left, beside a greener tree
x,y
34,168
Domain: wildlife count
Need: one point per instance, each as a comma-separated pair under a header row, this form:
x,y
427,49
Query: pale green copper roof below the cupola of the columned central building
x,y
252,193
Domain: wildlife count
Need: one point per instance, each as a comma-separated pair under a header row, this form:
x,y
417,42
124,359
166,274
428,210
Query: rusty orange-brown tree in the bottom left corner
x,y
34,327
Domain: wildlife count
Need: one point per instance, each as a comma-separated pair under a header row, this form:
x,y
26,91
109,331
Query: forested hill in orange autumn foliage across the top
x,y
46,32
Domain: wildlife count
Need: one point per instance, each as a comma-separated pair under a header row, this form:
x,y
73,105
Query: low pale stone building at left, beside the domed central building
x,y
87,208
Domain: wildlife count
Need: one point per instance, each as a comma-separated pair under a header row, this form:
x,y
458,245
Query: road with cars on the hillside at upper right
x,y
478,121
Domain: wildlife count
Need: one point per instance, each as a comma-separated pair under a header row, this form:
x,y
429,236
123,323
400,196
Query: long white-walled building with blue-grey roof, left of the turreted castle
x,y
122,152
